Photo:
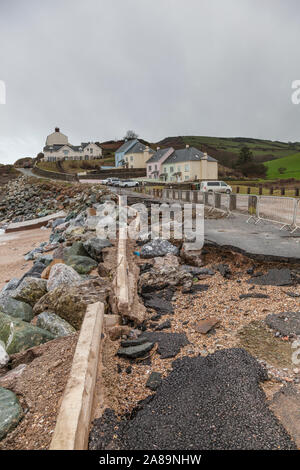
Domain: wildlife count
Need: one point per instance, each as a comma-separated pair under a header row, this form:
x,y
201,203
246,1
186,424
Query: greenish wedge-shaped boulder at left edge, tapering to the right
x,y
18,335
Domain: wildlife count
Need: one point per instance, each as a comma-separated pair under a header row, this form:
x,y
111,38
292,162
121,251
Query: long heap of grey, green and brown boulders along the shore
x,y
50,300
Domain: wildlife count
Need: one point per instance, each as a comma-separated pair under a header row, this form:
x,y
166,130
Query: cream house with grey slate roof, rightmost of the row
x,y
189,164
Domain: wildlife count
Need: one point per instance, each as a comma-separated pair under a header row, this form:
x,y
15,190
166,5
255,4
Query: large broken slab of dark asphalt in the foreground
x,y
211,403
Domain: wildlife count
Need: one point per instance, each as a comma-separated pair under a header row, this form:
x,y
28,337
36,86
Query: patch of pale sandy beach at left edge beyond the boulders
x,y
13,246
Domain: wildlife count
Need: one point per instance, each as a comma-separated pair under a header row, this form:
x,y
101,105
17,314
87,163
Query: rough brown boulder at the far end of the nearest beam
x,y
70,302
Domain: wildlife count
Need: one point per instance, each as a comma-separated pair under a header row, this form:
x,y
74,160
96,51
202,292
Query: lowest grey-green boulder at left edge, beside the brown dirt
x,y
10,411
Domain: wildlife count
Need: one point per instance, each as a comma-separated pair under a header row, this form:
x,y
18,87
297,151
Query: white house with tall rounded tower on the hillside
x,y
58,148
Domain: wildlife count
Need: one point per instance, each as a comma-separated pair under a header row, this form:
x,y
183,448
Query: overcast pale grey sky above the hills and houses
x,y
96,68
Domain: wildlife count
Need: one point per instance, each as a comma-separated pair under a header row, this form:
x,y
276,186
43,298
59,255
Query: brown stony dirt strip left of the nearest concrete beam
x,y
40,389
